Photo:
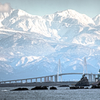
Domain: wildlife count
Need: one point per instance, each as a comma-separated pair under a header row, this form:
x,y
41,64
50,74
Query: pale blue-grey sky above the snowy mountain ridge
x,y
44,7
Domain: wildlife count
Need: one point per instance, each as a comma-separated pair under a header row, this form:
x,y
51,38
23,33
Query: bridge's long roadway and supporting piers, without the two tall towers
x,y
50,78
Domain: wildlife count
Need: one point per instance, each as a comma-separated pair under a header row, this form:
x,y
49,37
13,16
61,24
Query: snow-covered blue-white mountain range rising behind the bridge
x,y
31,45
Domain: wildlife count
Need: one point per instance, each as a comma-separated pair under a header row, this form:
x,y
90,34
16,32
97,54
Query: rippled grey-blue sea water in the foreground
x,y
60,94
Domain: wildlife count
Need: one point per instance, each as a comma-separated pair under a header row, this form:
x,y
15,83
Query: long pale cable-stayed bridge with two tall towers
x,y
53,78
